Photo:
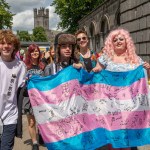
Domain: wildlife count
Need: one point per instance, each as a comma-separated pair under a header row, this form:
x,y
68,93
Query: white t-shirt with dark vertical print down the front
x,y
12,76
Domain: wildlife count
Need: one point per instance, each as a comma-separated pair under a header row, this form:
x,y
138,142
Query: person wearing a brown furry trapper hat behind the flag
x,y
64,52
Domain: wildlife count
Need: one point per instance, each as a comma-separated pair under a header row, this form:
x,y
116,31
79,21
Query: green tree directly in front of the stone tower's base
x,y
39,34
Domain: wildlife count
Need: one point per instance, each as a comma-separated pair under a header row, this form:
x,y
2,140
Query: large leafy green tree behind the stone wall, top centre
x,y
71,11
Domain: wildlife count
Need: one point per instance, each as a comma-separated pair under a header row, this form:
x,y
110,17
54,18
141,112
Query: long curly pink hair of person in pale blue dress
x,y
131,56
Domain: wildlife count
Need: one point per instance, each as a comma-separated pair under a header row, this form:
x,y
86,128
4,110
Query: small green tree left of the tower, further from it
x,y
24,36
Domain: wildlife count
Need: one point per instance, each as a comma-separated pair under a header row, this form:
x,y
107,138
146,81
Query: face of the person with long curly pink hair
x,y
119,44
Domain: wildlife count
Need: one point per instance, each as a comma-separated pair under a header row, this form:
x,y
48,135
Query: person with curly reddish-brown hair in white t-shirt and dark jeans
x,y
12,73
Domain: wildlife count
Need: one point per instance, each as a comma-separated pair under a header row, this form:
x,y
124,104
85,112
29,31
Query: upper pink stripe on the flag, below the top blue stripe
x,y
89,92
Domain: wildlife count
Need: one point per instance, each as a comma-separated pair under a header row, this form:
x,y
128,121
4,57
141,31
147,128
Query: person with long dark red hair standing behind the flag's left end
x,y
34,67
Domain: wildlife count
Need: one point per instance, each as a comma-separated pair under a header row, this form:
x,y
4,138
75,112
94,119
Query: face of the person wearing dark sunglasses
x,y
82,40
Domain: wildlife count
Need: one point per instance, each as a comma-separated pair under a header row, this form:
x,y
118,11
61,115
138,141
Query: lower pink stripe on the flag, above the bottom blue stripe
x,y
74,125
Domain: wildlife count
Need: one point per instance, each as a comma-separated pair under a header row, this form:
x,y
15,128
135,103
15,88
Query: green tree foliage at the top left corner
x,y
6,16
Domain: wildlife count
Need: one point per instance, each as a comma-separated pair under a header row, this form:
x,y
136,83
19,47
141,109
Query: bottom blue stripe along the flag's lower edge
x,y
123,138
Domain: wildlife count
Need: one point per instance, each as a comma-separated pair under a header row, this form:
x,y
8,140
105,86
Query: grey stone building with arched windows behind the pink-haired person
x,y
133,15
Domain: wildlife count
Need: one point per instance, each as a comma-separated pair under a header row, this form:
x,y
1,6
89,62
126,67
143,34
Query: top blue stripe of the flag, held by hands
x,y
103,77
